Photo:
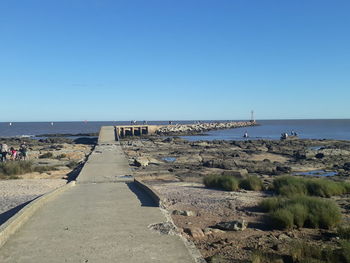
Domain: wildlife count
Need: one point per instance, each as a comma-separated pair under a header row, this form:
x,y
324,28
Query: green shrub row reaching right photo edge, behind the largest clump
x,y
291,186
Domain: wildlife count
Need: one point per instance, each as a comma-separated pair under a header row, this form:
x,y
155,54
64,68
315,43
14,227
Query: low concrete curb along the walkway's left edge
x,y
19,219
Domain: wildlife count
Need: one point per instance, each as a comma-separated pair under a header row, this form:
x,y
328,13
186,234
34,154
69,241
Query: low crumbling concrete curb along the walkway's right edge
x,y
192,249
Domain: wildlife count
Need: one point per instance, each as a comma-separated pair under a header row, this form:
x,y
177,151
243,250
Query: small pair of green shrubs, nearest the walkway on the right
x,y
231,183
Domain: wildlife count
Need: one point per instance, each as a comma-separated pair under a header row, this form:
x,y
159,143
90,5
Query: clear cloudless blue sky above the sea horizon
x,y
174,59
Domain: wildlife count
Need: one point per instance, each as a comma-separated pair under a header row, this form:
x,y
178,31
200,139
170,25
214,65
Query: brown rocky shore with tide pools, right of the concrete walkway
x,y
175,168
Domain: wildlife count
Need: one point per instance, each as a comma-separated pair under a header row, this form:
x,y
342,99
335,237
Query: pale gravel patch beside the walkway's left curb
x,y
16,192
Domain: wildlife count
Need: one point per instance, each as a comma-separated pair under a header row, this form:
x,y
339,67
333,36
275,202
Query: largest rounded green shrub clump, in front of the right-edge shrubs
x,y
301,211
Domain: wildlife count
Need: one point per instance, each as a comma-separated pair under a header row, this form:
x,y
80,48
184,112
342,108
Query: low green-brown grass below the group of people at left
x,y
10,170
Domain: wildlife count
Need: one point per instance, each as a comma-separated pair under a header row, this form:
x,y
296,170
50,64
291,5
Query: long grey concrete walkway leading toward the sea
x,y
104,218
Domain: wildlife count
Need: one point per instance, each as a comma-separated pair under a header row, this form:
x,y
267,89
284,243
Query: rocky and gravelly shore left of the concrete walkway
x,y
51,163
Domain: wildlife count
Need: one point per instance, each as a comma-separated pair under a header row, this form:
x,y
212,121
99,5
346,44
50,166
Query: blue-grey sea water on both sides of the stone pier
x,y
269,129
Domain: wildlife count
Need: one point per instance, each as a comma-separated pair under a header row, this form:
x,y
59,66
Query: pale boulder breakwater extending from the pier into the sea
x,y
189,129
